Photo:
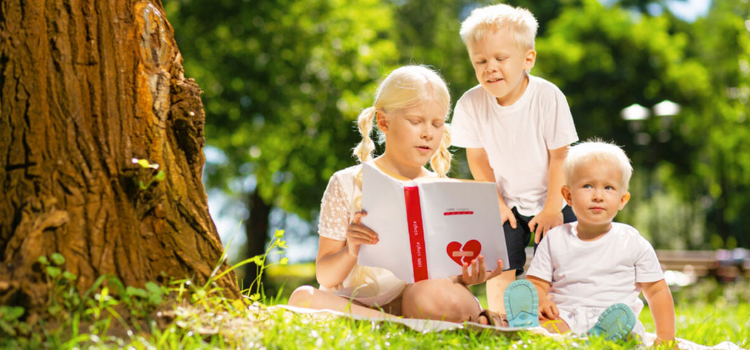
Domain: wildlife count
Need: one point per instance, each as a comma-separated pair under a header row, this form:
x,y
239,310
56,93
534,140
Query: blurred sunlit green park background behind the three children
x,y
284,80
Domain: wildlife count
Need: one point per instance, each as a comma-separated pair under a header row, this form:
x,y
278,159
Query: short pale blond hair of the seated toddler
x,y
596,150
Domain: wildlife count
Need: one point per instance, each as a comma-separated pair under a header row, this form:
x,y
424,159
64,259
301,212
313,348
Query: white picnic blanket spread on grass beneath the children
x,y
437,326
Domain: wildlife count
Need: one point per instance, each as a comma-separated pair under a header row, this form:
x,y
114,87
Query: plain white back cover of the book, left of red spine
x,y
383,200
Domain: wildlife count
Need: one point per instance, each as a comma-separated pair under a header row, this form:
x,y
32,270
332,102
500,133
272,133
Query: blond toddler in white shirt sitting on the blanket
x,y
589,274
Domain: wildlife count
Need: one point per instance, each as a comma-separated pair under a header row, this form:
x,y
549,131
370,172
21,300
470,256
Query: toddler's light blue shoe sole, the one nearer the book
x,y
521,304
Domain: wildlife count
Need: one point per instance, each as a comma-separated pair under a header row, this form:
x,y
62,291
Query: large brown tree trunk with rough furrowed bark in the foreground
x,y
88,85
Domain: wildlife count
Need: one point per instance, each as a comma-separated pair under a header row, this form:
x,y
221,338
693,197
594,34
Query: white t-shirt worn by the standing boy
x,y
516,138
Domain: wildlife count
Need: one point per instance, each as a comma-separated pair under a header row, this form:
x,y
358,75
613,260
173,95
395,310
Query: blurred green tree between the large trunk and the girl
x,y
284,81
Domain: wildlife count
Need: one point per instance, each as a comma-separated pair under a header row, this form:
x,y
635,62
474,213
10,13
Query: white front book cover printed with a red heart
x,y
454,214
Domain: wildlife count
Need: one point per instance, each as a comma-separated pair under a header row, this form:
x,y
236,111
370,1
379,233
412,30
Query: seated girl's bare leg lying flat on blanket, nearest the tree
x,y
313,298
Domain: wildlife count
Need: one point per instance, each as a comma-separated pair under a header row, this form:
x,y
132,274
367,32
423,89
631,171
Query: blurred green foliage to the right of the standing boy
x,y
607,58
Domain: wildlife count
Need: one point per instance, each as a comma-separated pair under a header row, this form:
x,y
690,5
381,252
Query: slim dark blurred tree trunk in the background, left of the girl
x,y
256,230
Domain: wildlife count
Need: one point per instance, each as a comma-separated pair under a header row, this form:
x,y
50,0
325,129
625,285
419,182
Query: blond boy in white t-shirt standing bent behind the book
x,y
516,129
